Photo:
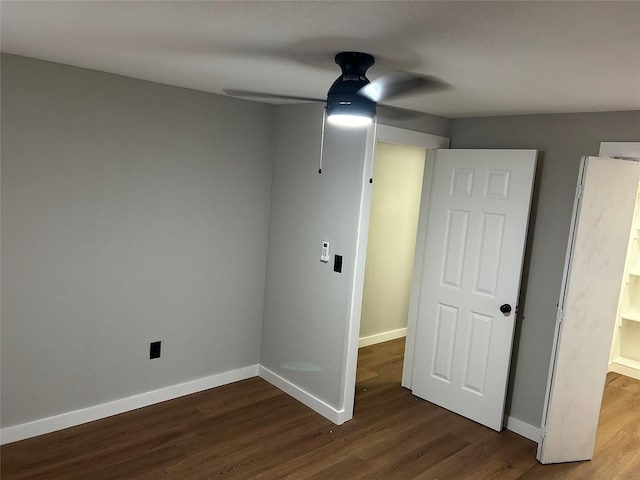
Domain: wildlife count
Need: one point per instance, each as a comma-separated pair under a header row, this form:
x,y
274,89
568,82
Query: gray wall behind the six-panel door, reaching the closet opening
x,y
562,140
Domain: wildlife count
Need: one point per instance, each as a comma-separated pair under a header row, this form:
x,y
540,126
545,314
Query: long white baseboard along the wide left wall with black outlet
x,y
77,417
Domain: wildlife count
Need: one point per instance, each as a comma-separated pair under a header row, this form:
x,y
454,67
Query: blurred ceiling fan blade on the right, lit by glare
x,y
397,84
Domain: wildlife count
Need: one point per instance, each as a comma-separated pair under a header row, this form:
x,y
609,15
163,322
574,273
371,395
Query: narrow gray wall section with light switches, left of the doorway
x,y
306,303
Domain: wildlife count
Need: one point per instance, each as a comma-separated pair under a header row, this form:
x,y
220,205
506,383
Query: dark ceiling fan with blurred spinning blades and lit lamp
x,y
352,99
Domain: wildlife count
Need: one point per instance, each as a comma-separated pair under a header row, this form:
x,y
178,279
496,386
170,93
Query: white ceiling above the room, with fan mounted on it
x,y
500,57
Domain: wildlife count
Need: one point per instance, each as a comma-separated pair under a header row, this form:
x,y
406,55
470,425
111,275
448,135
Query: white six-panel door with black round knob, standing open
x,y
473,254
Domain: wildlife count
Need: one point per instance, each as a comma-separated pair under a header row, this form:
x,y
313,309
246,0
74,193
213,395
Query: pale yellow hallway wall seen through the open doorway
x,y
392,236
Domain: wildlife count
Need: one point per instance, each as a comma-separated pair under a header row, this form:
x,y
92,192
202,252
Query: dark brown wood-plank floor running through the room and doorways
x,y
251,430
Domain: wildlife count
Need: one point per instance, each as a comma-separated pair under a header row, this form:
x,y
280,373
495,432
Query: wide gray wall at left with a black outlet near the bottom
x,y
131,212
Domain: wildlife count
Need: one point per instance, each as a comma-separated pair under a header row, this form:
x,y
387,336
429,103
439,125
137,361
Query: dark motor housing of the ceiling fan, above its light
x,y
343,97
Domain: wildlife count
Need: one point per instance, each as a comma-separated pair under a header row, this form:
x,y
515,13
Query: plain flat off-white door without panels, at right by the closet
x,y
603,213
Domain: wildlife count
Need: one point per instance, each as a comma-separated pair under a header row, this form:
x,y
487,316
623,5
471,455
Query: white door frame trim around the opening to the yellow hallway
x,y
400,136
